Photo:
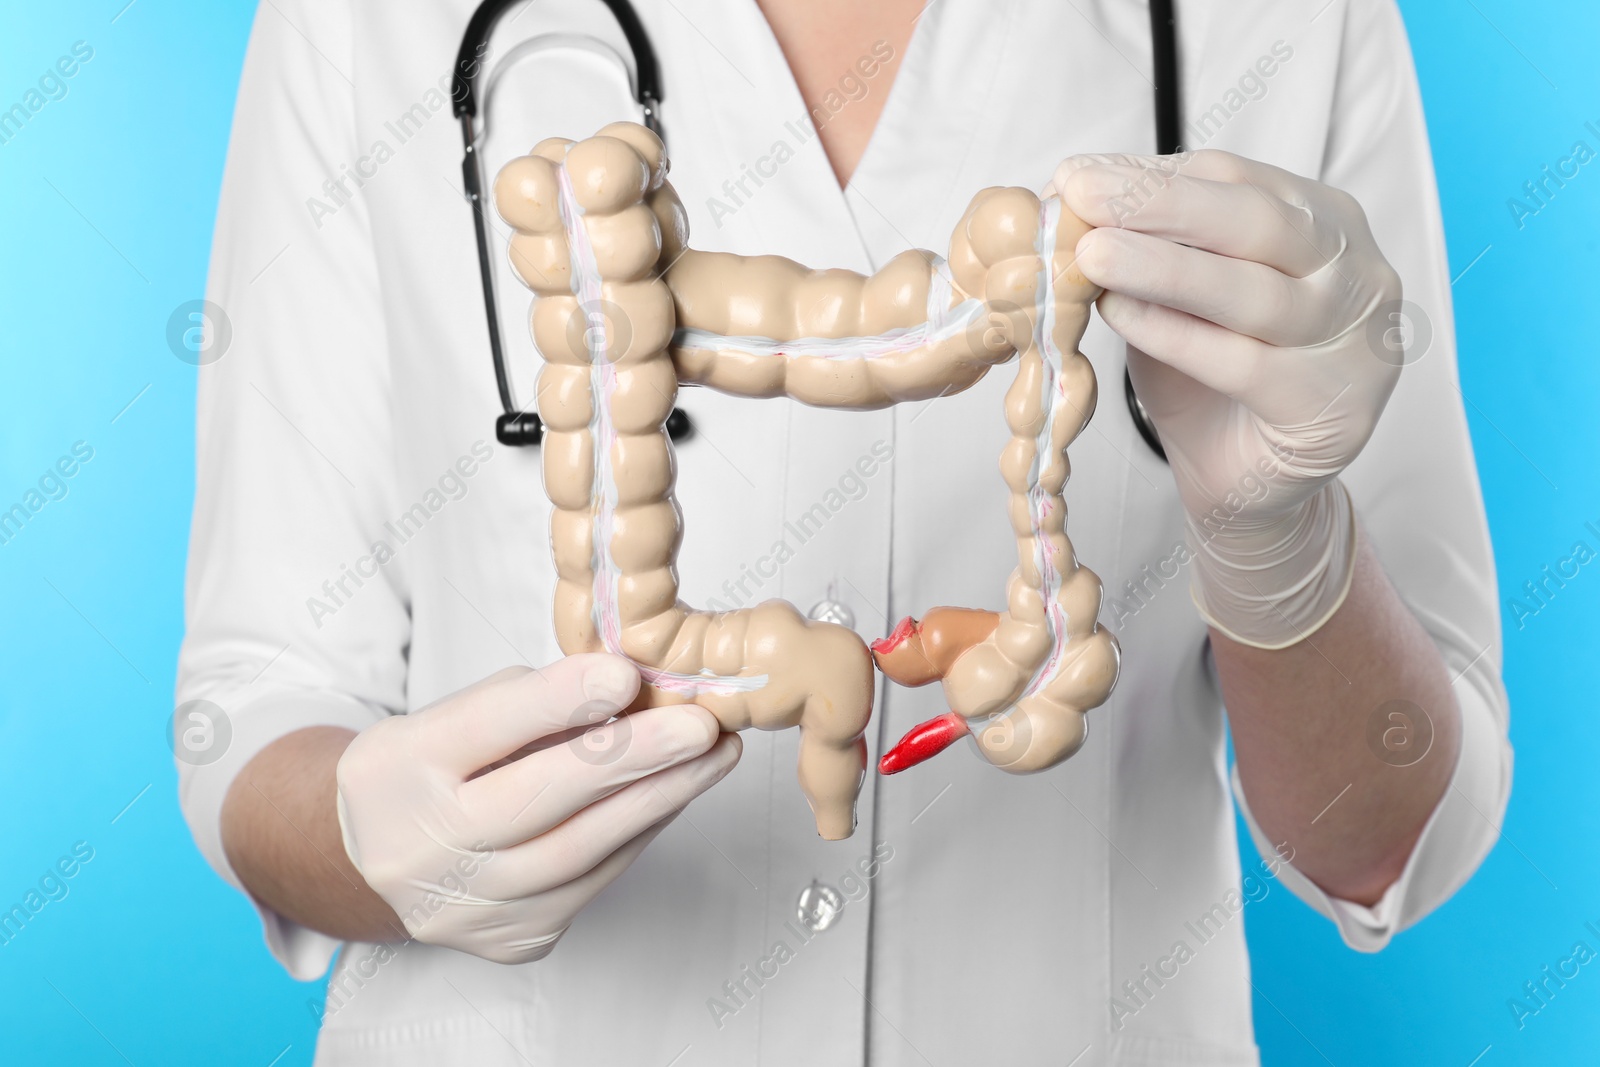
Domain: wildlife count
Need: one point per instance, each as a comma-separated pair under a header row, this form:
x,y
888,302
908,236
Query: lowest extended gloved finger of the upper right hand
x,y
1214,356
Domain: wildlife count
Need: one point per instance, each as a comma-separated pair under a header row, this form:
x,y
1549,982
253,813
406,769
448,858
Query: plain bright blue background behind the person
x,y
108,202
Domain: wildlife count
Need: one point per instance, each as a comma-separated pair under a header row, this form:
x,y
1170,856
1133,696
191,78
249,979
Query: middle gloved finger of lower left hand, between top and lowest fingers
x,y
542,791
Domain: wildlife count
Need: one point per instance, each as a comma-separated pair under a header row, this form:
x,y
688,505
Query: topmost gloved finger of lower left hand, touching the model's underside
x,y
519,706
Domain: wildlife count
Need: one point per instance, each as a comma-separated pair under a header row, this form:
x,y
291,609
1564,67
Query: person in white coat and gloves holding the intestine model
x,y
370,581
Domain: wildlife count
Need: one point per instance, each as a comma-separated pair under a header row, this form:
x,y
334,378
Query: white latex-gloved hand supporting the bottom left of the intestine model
x,y
498,865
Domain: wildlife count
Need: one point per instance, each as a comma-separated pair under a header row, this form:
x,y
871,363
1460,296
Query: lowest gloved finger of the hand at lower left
x,y
588,837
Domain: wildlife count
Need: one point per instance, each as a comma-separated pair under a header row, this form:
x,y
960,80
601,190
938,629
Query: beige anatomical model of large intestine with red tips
x,y
626,314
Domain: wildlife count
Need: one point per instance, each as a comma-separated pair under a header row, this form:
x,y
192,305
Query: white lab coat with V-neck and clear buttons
x,y
1010,921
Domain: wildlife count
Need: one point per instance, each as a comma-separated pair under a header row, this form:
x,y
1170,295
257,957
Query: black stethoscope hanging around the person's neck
x,y
519,426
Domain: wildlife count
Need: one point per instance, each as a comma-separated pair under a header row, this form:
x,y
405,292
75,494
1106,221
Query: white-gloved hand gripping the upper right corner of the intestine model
x,y
1262,326
